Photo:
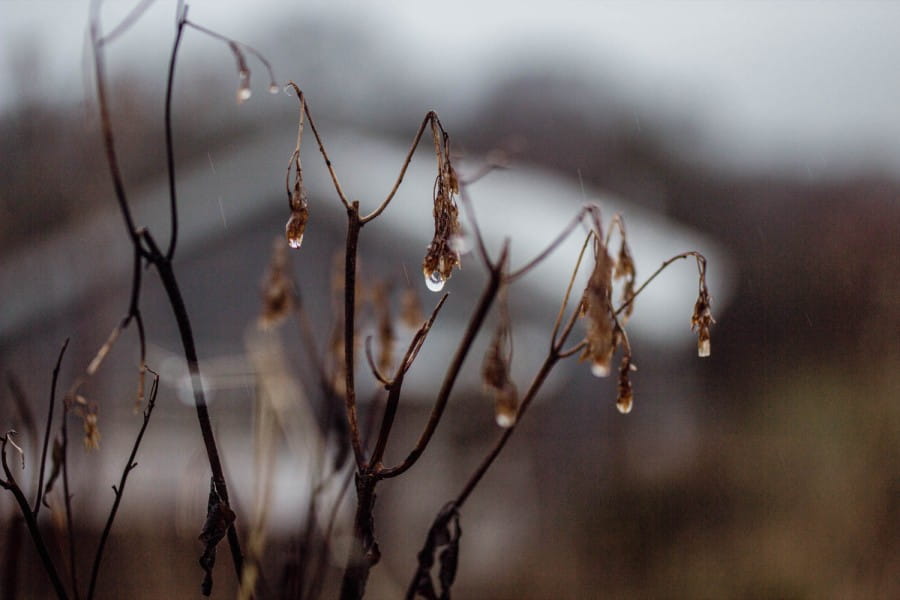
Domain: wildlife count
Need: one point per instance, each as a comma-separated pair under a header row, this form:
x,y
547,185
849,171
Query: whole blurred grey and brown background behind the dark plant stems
x,y
765,134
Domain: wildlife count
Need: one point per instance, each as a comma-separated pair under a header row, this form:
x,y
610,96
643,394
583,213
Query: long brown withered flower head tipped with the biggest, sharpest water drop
x,y
442,256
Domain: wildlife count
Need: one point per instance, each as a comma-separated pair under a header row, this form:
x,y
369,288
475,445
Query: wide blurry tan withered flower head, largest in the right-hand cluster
x,y
601,331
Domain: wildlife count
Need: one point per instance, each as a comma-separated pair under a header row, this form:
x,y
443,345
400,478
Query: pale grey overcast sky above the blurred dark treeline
x,y
813,83
